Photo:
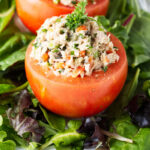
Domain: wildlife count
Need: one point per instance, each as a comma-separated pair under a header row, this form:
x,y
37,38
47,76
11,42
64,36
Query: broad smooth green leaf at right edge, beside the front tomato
x,y
139,40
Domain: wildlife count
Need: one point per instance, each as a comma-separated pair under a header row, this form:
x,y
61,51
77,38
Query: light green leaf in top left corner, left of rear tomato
x,y
7,10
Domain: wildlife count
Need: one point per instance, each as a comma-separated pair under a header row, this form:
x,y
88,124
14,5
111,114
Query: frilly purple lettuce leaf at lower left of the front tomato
x,y
24,125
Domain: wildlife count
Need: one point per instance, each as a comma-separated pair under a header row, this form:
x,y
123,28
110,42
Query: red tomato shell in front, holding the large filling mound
x,y
77,97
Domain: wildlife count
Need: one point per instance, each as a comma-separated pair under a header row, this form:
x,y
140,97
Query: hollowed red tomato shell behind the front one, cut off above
x,y
34,12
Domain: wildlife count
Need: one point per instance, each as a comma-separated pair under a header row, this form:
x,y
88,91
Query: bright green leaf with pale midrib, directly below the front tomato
x,y
67,137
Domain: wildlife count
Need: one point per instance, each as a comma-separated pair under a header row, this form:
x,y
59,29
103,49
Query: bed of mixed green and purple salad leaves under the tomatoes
x,y
125,125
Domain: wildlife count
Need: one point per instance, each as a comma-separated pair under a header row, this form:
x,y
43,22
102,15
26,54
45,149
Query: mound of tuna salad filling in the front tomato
x,y
74,53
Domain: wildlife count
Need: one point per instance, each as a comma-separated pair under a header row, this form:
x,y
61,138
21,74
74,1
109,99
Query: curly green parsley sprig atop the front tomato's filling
x,y
78,17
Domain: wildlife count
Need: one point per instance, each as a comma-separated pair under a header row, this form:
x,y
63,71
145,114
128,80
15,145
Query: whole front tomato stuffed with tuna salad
x,y
78,69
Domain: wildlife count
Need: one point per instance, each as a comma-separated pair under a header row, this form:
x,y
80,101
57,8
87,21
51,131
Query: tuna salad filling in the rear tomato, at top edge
x,y
70,3
